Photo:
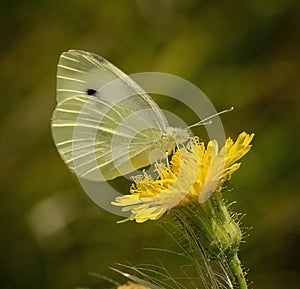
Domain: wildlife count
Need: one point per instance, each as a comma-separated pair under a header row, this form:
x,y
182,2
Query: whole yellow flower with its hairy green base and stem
x,y
190,188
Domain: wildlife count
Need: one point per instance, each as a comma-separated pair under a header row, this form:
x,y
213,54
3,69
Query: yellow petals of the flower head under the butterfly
x,y
194,171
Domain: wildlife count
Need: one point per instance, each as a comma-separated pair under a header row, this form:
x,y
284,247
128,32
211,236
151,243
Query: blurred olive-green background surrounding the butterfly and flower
x,y
240,53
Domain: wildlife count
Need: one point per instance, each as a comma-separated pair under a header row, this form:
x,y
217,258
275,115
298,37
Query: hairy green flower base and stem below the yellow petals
x,y
215,232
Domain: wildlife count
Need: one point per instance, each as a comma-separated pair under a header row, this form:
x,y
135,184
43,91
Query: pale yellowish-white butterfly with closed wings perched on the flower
x,y
103,131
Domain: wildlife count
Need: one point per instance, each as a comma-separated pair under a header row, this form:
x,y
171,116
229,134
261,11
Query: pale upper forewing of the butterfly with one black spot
x,y
80,72
